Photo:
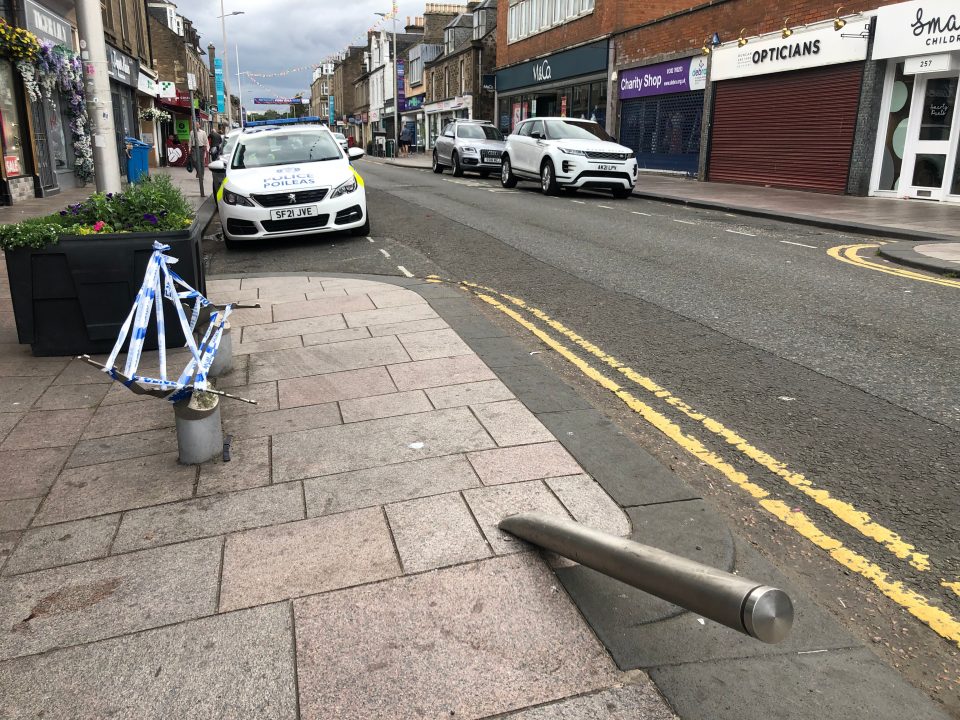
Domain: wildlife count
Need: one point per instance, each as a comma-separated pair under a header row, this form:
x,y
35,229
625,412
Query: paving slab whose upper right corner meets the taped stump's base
x,y
114,486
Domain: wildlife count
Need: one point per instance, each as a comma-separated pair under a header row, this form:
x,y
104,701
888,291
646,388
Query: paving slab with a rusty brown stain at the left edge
x,y
108,597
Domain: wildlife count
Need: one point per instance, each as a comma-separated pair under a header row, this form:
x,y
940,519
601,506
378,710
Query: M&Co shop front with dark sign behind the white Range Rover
x,y
571,83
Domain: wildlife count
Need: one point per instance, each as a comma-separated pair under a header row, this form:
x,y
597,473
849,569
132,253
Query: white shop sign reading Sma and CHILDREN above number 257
x,y
917,28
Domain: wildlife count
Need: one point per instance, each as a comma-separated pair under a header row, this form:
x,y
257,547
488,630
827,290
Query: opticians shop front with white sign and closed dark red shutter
x,y
785,109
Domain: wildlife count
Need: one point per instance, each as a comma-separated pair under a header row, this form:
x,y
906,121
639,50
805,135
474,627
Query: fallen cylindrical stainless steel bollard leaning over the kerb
x,y
762,612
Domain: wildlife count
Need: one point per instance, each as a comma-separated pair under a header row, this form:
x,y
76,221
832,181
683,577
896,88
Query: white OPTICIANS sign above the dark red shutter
x,y
802,50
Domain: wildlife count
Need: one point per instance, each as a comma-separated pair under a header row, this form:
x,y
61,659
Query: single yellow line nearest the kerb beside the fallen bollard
x,y
917,605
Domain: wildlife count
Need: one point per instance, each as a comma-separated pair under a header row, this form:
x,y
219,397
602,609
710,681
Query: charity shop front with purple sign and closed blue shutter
x,y
661,112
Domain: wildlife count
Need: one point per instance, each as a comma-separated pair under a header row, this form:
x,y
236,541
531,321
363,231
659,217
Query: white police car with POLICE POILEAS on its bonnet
x,y
288,182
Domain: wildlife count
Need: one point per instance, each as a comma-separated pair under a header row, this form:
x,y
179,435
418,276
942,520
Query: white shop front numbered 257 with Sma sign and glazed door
x,y
918,139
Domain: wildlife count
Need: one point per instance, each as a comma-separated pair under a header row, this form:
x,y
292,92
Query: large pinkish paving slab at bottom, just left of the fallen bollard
x,y
504,638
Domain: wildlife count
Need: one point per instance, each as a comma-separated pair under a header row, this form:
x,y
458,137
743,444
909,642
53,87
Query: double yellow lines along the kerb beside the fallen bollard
x,y
916,604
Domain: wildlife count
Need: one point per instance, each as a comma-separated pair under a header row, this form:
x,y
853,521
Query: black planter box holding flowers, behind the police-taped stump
x,y
72,298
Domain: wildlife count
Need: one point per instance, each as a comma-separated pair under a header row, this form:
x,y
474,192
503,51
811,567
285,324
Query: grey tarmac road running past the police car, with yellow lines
x,y
826,387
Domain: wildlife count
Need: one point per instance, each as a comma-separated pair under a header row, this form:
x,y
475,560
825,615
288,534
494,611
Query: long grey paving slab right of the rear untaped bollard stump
x,y
319,359
